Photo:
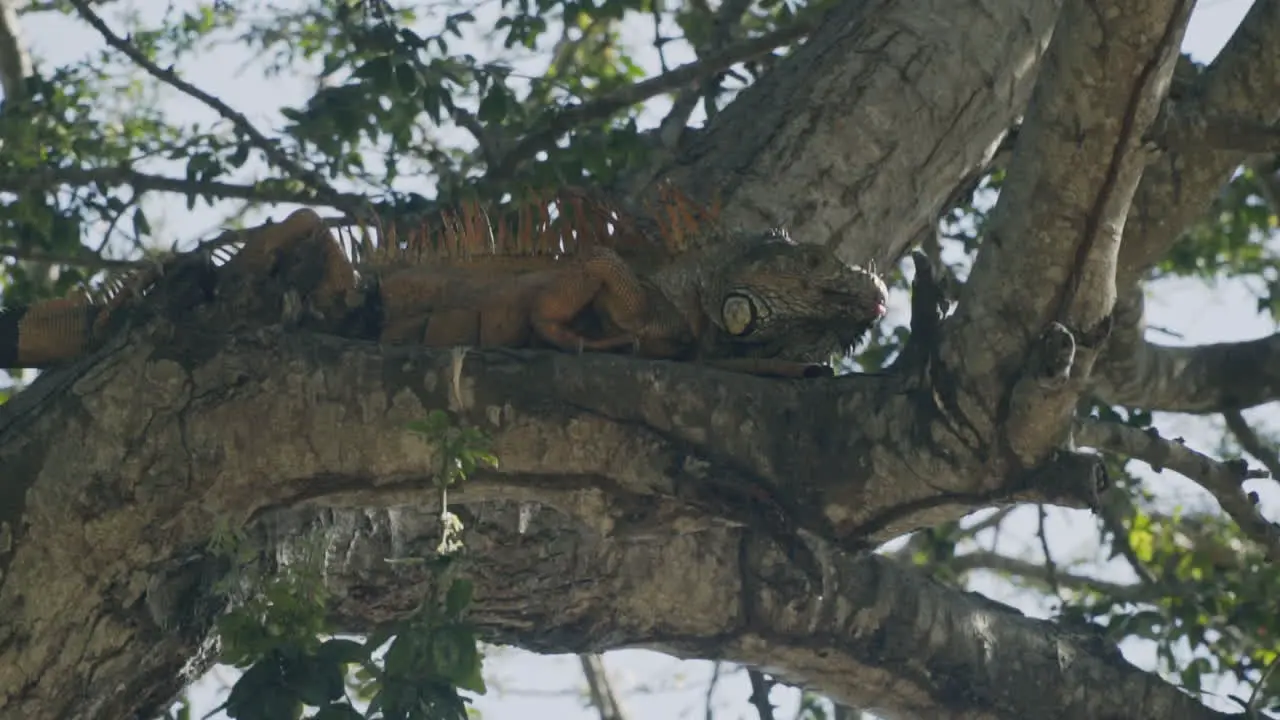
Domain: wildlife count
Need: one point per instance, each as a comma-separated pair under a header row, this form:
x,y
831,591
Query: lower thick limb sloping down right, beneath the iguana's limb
x,y
880,636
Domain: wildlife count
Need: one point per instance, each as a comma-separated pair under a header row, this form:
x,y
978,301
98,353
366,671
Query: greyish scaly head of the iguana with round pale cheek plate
x,y
774,298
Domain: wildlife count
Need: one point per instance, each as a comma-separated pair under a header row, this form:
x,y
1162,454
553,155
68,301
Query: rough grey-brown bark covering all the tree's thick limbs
x,y
660,485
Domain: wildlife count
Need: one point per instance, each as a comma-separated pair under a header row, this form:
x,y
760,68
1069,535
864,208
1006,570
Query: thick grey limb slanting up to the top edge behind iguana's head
x,y
838,157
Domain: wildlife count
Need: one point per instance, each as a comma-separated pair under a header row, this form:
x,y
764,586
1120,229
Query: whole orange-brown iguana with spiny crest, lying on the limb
x,y
587,280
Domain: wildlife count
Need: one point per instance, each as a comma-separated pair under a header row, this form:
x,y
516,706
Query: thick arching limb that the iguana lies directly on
x,y
115,485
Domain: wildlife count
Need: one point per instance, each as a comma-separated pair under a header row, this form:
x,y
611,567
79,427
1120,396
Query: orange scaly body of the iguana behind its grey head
x,y
464,298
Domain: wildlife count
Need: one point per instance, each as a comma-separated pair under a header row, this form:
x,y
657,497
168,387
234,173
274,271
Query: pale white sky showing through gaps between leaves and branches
x,y
652,685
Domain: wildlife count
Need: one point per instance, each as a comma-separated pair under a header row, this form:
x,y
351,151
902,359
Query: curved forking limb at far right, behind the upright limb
x,y
1244,83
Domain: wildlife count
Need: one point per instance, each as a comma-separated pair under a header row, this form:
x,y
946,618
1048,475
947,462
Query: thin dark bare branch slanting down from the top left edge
x,y
275,154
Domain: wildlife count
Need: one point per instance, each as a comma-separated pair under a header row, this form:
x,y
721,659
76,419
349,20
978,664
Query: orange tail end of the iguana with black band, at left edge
x,y
47,334
